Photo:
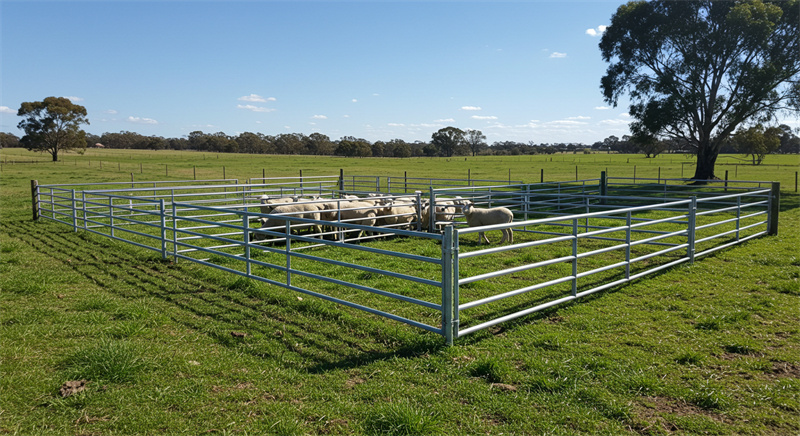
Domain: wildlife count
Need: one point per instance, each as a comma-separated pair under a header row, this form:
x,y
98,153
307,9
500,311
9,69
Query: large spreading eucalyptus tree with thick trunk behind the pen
x,y
695,70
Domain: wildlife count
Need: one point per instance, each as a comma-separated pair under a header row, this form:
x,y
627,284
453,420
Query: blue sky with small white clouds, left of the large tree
x,y
517,71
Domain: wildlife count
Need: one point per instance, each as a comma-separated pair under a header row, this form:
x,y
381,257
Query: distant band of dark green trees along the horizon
x,y
446,142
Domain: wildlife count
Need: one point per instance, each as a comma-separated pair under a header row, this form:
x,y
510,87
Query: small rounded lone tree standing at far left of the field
x,y
52,125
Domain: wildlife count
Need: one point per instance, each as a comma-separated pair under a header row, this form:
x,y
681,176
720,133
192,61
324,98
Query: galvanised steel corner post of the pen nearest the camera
x,y
450,321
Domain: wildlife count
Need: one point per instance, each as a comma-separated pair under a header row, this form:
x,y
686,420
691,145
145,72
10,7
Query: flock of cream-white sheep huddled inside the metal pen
x,y
378,210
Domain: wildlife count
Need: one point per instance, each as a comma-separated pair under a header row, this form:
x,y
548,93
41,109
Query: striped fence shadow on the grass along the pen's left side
x,y
269,323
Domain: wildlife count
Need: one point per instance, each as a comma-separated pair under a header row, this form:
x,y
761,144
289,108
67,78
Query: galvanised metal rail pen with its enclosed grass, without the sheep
x,y
573,238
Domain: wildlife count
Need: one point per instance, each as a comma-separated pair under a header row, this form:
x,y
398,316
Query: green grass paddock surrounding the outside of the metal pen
x,y
178,348
